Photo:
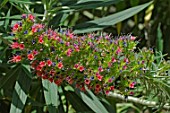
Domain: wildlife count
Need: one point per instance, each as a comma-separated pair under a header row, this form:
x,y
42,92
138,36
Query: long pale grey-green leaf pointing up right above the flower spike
x,y
110,20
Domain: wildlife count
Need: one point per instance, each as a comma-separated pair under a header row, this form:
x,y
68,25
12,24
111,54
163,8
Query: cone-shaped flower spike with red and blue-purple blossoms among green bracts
x,y
102,63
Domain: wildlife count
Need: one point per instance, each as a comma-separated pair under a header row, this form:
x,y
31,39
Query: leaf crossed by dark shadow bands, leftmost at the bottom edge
x,y
20,92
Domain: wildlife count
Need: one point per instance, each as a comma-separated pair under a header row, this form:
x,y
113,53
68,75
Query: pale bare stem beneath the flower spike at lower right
x,y
137,100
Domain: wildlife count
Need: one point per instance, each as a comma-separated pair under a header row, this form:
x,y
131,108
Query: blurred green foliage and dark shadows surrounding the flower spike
x,y
21,92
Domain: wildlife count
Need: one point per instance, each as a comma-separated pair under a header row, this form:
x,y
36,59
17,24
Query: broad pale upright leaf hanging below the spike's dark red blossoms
x,y
51,95
